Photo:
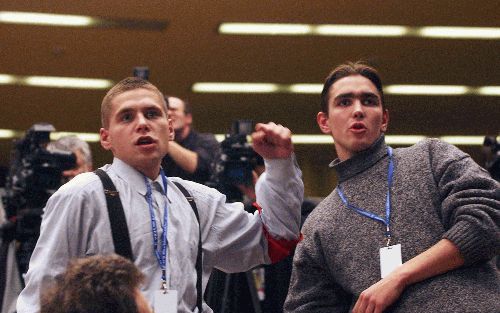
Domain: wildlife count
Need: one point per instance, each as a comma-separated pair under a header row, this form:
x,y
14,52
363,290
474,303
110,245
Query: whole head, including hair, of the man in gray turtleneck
x,y
352,108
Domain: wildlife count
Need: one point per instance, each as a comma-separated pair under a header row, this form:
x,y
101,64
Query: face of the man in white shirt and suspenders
x,y
138,131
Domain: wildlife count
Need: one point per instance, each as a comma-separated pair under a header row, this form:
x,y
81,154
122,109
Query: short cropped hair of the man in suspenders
x,y
127,84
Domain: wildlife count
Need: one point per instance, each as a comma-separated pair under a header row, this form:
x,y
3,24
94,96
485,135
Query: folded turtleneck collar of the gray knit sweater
x,y
360,161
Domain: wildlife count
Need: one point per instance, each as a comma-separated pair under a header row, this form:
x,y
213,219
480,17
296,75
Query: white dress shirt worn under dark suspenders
x,y
76,224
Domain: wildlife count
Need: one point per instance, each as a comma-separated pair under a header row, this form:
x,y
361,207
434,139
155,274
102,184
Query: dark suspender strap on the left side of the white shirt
x,y
119,229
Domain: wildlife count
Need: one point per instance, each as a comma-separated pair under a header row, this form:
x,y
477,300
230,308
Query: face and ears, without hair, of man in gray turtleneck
x,y
355,117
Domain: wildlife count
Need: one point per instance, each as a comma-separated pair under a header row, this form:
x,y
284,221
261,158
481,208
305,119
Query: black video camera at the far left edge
x,y
34,175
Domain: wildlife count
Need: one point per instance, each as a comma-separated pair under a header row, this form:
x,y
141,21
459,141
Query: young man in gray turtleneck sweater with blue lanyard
x,y
406,230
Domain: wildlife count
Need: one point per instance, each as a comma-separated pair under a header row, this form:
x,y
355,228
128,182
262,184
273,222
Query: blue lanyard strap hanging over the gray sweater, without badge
x,y
368,214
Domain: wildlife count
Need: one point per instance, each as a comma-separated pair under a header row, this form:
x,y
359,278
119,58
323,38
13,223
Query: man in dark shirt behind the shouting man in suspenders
x,y
191,154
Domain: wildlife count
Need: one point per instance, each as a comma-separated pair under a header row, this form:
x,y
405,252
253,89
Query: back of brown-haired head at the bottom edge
x,y
97,284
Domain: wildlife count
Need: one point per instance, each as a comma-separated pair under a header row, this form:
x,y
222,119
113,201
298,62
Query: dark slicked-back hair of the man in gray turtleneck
x,y
349,69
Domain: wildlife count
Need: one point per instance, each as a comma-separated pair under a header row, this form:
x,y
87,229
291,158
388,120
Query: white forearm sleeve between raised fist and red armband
x,y
280,192
